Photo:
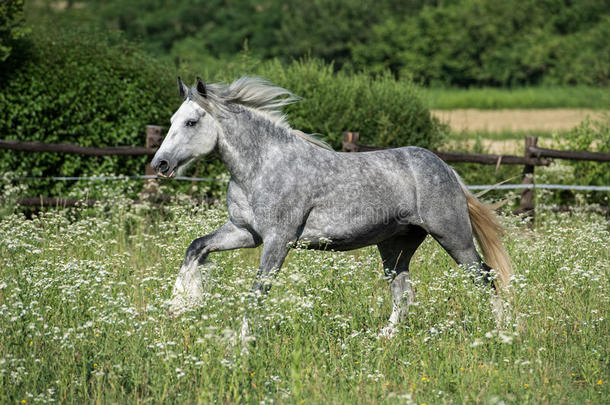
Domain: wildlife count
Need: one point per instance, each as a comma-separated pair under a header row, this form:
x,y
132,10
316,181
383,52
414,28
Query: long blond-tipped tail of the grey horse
x,y
487,230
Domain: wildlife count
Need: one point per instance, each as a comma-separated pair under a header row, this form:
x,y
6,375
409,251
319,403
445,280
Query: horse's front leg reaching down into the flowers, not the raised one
x,y
275,250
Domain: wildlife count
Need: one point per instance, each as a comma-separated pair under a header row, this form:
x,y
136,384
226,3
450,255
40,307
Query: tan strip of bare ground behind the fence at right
x,y
516,120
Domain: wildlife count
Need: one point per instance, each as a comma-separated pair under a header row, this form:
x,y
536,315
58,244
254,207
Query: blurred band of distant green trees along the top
x,y
458,42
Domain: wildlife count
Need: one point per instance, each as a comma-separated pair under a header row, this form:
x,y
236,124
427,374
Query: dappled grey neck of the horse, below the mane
x,y
245,142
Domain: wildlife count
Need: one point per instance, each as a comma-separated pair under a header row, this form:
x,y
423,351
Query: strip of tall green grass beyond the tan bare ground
x,y
528,97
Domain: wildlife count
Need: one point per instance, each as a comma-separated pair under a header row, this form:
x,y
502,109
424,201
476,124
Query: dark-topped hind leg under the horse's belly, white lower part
x,y
396,253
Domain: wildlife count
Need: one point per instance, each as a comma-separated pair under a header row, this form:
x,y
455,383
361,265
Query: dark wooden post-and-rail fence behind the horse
x,y
533,156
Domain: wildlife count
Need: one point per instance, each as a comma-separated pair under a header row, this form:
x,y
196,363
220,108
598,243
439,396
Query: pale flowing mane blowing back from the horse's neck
x,y
257,94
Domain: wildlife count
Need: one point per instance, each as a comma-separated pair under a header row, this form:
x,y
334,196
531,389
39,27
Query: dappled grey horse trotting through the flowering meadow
x,y
287,187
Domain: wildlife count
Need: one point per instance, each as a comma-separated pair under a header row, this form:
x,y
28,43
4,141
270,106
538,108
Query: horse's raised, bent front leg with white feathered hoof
x,y
188,289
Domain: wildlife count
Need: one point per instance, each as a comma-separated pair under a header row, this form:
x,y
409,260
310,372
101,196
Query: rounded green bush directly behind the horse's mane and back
x,y
385,111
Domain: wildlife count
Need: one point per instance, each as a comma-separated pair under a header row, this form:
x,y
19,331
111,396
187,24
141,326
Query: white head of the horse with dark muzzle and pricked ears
x,y
193,133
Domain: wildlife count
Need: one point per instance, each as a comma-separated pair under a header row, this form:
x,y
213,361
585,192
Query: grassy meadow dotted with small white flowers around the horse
x,y
83,317
